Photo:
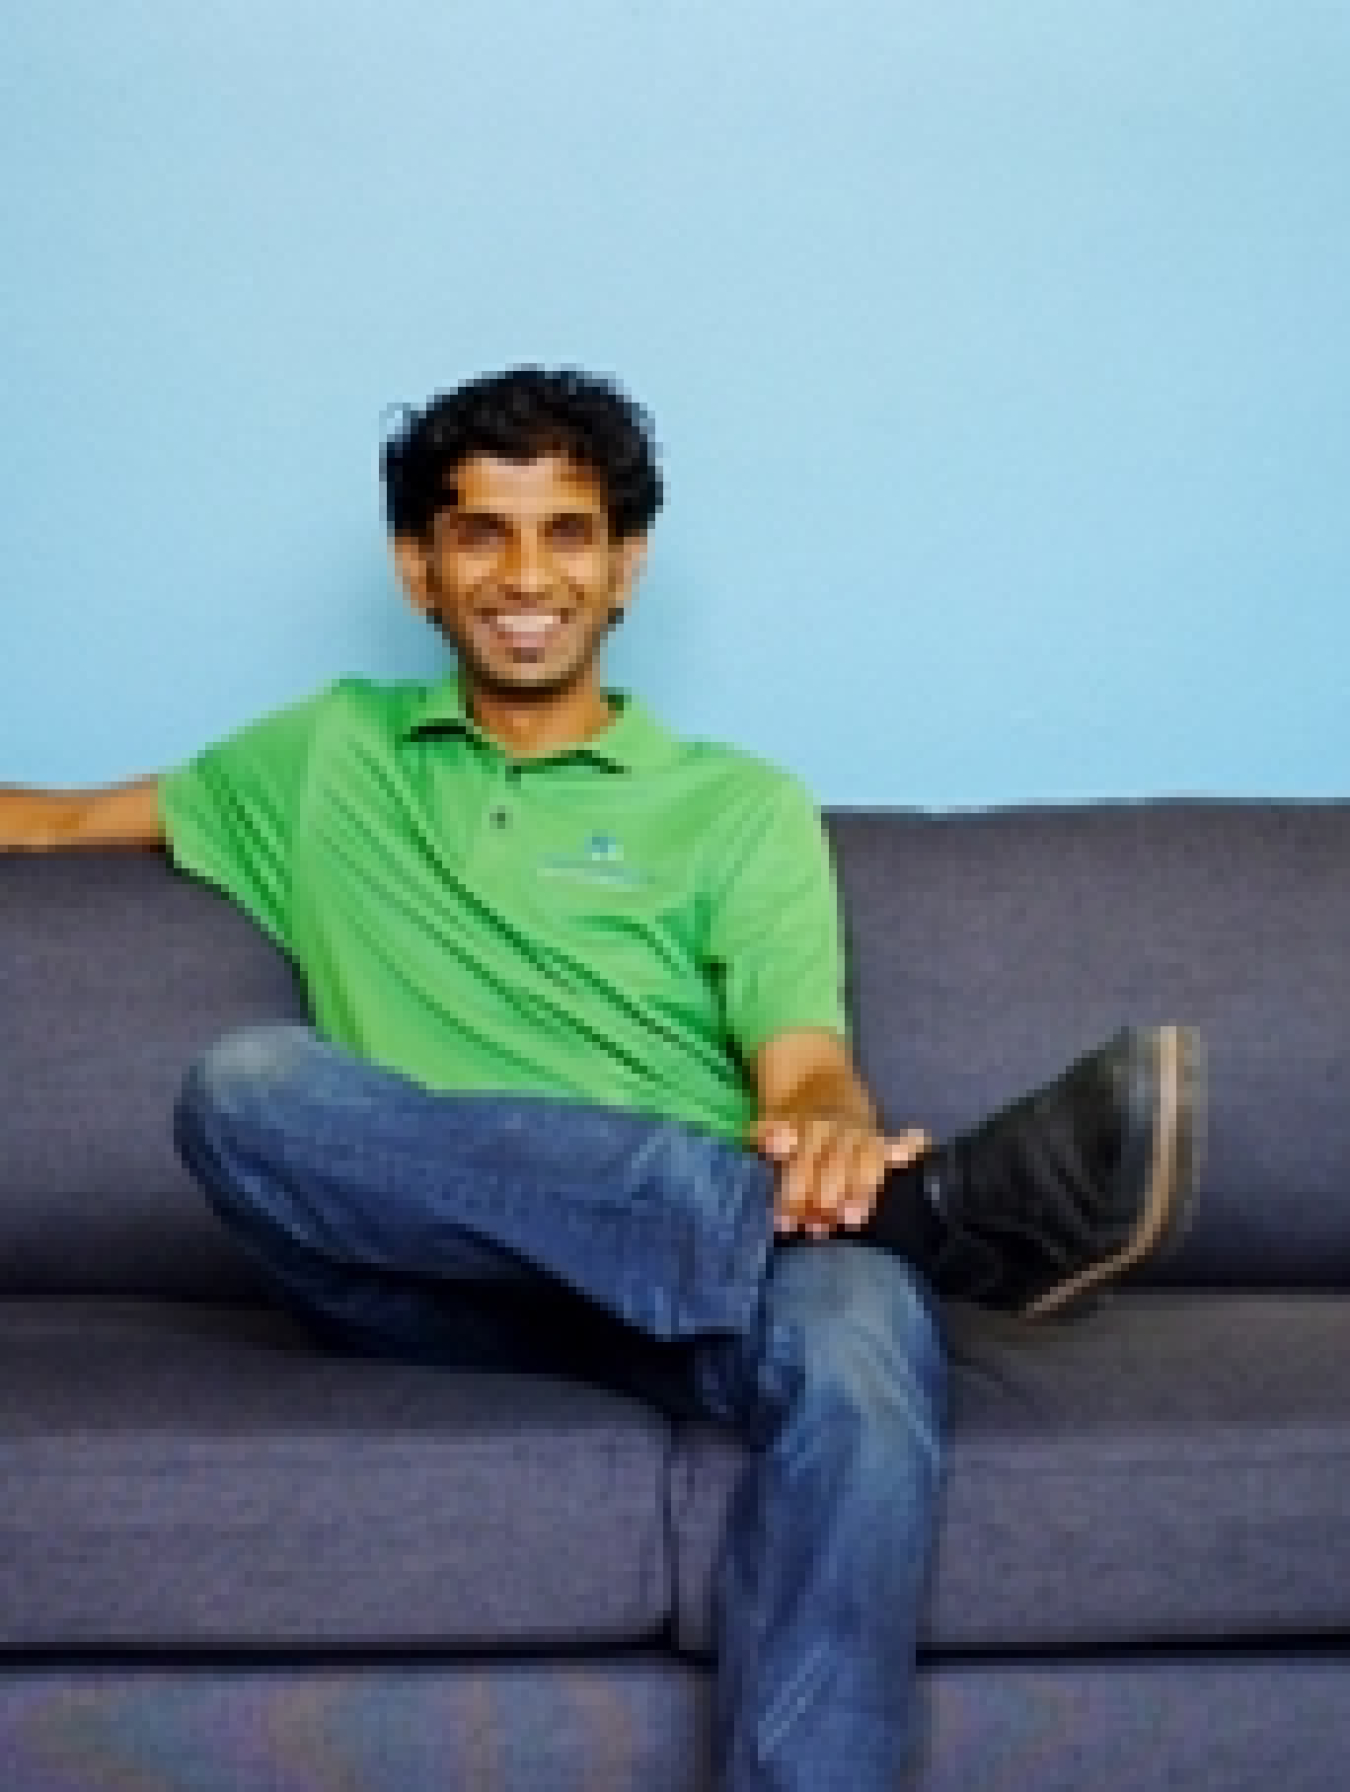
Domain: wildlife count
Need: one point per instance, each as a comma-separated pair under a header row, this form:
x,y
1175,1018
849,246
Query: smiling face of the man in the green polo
x,y
524,574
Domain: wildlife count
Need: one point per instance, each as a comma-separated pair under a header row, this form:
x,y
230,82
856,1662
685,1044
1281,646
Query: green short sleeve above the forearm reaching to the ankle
x,y
774,926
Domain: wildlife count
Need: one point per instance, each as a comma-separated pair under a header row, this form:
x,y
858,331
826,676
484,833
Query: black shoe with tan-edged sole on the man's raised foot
x,y
1075,1185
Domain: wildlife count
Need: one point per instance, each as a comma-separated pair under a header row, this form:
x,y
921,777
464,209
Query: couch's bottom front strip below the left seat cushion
x,y
609,1725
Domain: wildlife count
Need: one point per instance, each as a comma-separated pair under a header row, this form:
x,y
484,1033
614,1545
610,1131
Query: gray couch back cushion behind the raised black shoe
x,y
991,949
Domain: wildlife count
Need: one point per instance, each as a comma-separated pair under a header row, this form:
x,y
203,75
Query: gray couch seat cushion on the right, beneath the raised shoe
x,y
1170,1469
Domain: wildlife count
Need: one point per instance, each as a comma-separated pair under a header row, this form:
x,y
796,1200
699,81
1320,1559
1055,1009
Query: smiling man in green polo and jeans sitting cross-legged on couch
x,y
580,1055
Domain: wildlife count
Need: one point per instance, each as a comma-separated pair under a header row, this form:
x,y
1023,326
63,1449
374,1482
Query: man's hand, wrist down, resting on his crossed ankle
x,y
831,1169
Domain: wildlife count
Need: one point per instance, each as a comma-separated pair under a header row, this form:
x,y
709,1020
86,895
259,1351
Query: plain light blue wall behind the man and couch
x,y
1000,354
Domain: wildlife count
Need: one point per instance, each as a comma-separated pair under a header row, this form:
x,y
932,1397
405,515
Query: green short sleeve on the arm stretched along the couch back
x,y
230,814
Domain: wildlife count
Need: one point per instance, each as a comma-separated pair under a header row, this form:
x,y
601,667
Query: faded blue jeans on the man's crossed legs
x,y
532,1234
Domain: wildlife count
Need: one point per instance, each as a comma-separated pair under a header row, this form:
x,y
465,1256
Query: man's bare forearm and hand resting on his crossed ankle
x,y
818,1124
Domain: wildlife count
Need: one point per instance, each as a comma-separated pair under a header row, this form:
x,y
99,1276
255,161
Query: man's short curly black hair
x,y
517,417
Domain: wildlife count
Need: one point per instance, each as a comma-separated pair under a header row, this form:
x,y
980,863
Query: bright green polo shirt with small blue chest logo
x,y
623,924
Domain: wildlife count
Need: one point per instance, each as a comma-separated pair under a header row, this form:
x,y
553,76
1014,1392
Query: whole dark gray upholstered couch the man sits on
x,y
229,1560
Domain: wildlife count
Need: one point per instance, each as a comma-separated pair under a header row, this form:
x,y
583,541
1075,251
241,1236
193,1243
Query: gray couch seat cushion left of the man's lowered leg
x,y
203,1478
